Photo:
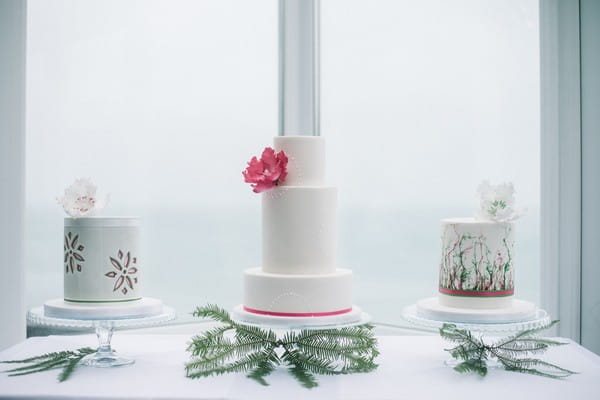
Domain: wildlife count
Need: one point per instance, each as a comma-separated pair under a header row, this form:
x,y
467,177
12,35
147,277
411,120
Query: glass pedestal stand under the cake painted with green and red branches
x,y
484,331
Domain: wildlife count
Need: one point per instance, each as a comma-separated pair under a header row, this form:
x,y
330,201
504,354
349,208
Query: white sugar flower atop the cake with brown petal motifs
x,y
80,199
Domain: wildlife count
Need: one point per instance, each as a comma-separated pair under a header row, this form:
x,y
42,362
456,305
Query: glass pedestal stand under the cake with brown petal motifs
x,y
105,356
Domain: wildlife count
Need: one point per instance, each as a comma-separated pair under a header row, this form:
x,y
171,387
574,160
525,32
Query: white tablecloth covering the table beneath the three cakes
x,y
410,367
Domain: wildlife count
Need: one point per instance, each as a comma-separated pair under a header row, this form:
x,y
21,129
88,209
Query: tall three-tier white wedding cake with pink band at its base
x,y
299,275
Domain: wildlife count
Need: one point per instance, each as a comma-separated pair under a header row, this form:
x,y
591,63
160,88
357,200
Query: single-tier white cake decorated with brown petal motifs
x,y
101,259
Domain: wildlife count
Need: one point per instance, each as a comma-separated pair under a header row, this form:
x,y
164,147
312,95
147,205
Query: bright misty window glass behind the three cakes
x,y
163,102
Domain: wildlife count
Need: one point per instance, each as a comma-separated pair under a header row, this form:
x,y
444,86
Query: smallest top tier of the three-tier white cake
x,y
306,159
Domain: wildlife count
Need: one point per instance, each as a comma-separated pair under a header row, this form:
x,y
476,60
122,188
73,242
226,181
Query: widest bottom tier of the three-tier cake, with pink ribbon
x,y
297,295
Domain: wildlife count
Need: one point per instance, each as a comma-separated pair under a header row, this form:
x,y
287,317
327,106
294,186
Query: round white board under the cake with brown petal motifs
x,y
58,308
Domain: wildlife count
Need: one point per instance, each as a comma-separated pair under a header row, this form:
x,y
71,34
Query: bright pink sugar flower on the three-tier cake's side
x,y
267,172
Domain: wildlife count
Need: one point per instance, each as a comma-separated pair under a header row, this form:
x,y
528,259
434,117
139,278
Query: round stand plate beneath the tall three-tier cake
x,y
352,318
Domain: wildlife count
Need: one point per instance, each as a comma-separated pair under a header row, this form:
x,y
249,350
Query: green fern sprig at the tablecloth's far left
x,y
67,360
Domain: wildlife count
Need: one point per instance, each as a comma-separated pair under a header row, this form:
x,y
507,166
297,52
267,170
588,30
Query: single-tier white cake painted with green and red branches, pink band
x,y
476,267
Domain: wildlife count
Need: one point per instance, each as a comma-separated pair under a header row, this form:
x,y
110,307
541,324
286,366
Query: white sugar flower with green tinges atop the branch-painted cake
x,y
497,202
